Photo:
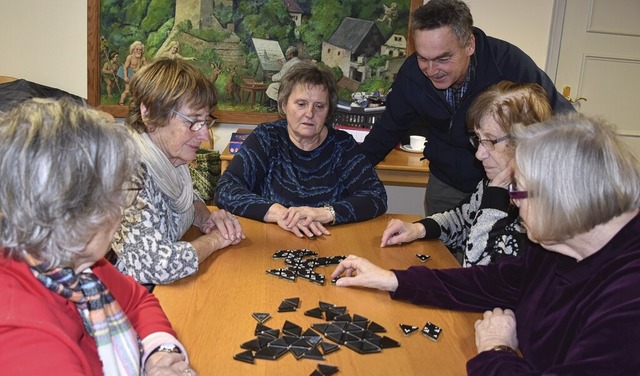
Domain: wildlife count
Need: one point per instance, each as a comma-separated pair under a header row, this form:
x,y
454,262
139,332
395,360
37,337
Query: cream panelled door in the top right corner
x,y
599,59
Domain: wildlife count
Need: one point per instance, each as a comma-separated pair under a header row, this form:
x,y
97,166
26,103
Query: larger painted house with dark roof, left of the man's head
x,y
349,47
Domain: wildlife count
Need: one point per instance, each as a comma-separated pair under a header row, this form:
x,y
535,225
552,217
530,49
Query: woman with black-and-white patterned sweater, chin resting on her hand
x,y
485,225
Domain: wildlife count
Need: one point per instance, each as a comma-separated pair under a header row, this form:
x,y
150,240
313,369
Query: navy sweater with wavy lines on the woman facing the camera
x,y
270,169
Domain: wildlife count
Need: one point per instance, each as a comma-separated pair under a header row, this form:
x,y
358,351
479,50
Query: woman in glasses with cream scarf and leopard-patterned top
x,y
170,113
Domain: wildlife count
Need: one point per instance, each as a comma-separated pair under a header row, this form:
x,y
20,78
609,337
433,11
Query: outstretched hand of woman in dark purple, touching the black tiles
x,y
363,273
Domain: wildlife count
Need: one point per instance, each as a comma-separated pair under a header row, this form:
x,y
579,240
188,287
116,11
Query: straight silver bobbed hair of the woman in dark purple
x,y
578,172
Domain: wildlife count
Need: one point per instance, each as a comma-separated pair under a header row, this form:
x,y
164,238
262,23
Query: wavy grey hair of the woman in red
x,y
63,167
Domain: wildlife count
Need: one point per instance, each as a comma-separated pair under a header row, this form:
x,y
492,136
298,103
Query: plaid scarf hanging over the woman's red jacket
x,y
119,346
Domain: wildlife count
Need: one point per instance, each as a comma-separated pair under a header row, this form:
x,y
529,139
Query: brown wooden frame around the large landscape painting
x,y
94,64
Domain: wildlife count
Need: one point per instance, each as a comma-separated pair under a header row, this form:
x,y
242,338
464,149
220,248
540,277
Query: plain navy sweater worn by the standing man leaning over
x,y
412,97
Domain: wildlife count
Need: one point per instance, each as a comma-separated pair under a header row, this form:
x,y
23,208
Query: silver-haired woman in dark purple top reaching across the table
x,y
571,303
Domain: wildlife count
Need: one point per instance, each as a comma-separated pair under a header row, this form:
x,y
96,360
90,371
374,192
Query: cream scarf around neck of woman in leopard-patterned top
x,y
174,182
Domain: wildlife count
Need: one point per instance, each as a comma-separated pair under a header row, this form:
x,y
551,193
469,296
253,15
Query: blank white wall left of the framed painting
x,y
45,42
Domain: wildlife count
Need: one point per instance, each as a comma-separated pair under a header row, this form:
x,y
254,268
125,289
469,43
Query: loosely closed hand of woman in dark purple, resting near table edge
x,y
497,328
